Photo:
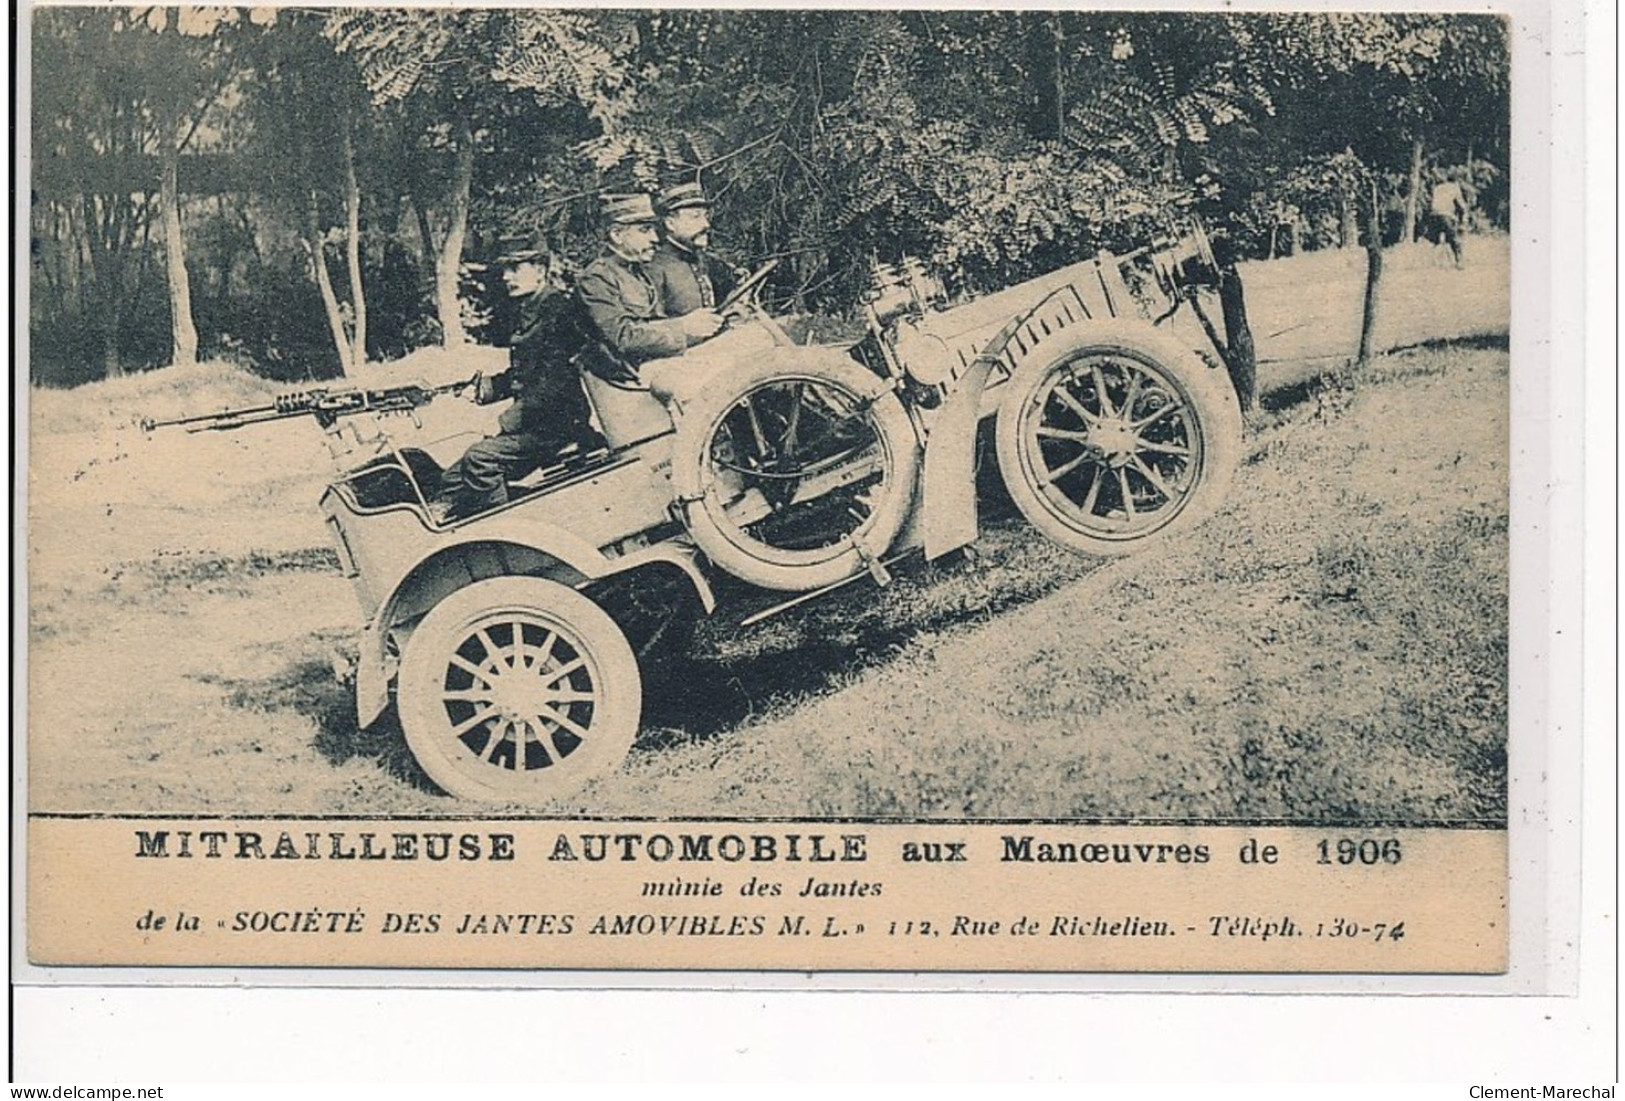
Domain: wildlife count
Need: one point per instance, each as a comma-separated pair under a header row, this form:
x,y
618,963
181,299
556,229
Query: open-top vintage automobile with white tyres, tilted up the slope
x,y
509,641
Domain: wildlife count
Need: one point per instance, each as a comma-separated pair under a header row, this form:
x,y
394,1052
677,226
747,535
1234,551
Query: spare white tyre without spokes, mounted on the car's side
x,y
795,468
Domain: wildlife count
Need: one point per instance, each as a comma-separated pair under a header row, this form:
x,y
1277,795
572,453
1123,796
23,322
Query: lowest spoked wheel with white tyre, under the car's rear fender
x,y
518,689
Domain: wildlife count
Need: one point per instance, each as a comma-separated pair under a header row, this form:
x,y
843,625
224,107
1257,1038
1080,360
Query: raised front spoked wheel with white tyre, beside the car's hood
x,y
1119,439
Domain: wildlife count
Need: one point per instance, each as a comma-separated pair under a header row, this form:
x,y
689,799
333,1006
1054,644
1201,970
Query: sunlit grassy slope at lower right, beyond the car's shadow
x,y
1332,649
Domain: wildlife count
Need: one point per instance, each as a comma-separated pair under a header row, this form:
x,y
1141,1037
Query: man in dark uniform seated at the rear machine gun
x,y
550,415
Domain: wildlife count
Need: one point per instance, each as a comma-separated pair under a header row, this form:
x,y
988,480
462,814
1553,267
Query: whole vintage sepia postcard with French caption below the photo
x,y
768,491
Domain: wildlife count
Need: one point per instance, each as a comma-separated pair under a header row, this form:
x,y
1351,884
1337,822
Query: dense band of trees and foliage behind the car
x,y
992,144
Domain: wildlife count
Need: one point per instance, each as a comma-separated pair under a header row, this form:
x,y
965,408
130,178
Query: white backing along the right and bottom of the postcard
x,y
149,1037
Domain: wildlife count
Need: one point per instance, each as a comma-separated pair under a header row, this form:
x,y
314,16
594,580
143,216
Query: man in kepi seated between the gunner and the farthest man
x,y
622,300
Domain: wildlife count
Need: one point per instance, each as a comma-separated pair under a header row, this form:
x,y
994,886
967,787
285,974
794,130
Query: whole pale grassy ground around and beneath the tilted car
x,y
1332,647
